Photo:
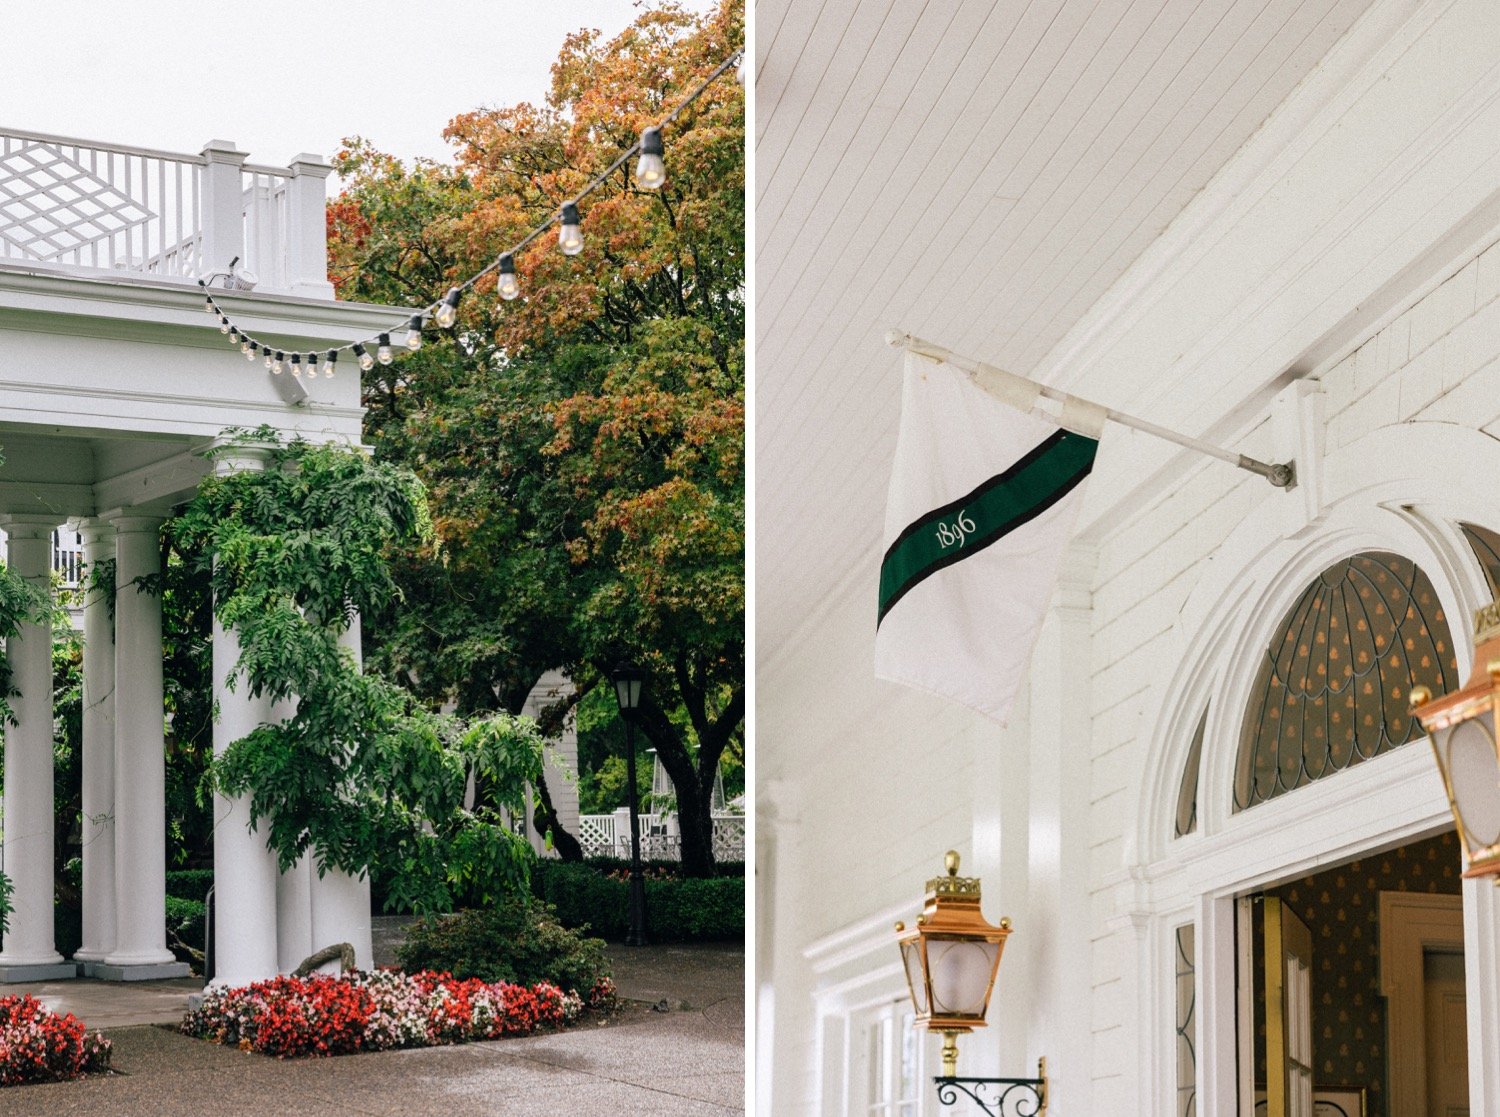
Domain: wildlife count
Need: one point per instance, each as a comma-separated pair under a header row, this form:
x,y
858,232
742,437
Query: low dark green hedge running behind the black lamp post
x,y
677,909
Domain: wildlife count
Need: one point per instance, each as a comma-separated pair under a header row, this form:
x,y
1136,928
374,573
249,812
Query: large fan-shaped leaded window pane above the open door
x,y
1333,687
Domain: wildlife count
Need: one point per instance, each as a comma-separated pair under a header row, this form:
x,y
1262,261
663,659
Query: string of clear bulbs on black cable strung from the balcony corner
x,y
650,176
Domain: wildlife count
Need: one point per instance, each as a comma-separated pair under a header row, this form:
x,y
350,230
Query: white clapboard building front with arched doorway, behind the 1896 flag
x,y
1273,224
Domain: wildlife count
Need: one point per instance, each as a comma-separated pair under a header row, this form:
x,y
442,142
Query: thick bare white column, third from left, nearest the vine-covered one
x,y
140,771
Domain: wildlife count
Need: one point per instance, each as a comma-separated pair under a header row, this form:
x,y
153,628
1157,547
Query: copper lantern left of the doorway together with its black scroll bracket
x,y
950,959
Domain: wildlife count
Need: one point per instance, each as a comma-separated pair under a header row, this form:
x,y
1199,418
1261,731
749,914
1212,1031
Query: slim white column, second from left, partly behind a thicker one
x,y
98,747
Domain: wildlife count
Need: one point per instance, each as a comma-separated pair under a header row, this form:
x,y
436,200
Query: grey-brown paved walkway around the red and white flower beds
x,y
688,1059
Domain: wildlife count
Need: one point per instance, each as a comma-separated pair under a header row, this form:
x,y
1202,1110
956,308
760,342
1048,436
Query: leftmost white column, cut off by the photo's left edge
x,y
29,953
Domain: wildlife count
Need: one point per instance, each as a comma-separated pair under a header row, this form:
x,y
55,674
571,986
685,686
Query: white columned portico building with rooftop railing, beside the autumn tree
x,y
113,385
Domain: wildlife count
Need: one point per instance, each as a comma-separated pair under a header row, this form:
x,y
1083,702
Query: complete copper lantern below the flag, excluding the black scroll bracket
x,y
952,957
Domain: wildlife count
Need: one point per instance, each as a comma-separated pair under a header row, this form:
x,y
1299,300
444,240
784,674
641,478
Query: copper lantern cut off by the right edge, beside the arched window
x,y
1462,728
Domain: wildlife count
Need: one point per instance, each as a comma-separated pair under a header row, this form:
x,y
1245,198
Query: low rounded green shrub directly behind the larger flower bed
x,y
514,941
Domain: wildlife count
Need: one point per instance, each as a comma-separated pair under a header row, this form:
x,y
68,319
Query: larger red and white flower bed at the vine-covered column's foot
x,y
376,1011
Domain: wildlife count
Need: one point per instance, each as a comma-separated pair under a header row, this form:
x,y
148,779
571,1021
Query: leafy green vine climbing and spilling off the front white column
x,y
361,773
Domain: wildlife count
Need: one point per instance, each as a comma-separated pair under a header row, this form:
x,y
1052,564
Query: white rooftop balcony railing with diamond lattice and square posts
x,y
80,208
